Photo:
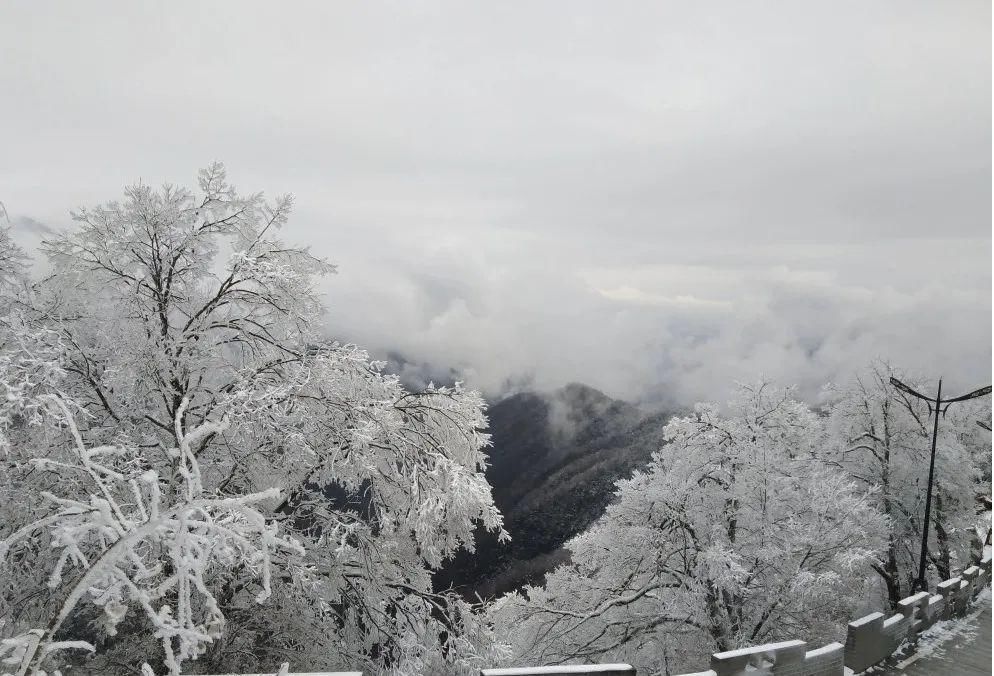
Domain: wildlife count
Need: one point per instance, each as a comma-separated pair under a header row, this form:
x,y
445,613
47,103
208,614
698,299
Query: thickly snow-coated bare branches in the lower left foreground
x,y
128,545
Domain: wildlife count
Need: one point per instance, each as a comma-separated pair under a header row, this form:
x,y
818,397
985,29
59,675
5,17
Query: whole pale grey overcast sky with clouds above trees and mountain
x,y
653,198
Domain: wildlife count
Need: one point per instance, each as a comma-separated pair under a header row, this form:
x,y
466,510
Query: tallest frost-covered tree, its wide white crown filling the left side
x,y
188,381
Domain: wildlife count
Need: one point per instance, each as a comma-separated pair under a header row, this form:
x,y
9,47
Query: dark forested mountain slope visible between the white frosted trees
x,y
554,461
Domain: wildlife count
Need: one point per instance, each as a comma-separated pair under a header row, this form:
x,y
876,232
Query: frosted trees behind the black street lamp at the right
x,y
882,438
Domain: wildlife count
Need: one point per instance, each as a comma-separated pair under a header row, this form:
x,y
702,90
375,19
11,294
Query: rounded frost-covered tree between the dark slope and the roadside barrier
x,y
739,532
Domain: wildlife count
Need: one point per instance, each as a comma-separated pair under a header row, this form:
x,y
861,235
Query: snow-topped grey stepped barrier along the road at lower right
x,y
869,640
